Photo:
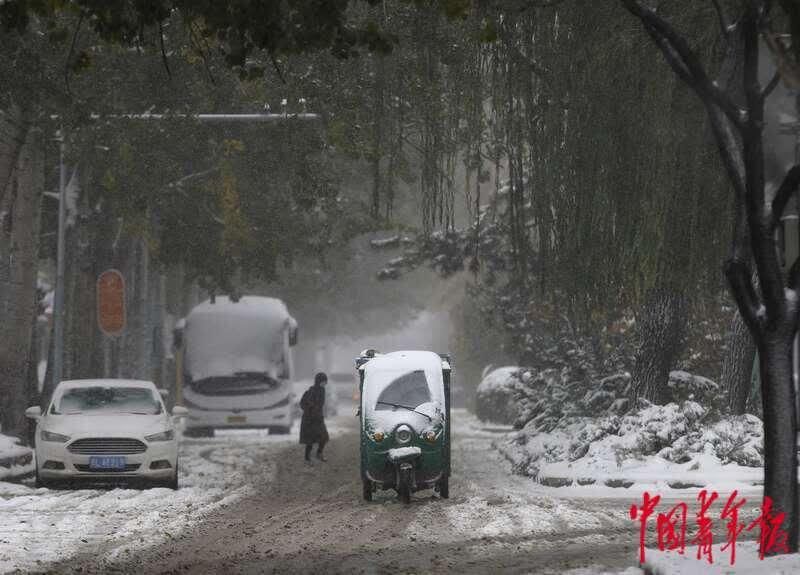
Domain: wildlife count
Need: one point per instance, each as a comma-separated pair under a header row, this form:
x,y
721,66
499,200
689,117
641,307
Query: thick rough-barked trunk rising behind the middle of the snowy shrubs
x,y
661,334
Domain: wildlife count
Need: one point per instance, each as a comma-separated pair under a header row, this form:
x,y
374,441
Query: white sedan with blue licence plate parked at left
x,y
103,429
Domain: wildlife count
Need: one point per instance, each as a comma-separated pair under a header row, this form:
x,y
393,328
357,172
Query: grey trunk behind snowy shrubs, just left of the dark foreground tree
x,y
737,366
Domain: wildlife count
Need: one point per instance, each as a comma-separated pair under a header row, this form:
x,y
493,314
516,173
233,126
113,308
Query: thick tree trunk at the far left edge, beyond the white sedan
x,y
16,331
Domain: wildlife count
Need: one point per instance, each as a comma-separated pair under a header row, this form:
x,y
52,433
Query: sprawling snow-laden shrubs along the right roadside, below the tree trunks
x,y
567,432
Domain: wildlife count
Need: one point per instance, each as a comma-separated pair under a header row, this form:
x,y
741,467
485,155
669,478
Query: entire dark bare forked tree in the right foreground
x,y
771,311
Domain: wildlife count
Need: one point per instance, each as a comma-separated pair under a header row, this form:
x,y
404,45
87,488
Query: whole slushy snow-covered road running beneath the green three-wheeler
x,y
248,505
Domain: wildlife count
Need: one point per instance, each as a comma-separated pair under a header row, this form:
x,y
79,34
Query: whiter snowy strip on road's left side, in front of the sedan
x,y
40,526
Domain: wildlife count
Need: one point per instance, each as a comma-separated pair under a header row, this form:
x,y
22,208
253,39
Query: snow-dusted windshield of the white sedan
x,y
98,399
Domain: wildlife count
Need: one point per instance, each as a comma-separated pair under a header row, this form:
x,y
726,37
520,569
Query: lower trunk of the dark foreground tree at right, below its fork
x,y
780,423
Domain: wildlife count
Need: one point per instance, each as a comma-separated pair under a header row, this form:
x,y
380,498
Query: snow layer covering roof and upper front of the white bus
x,y
226,337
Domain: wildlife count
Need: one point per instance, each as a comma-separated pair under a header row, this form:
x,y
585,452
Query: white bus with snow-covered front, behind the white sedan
x,y
238,365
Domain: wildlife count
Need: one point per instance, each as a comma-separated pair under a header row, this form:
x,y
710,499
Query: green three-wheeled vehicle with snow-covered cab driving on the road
x,y
405,422
